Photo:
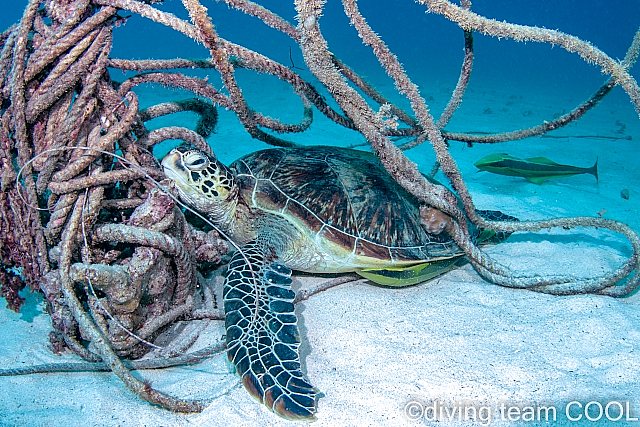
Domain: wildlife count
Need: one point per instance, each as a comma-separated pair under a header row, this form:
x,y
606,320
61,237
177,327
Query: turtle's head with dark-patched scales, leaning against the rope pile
x,y
202,181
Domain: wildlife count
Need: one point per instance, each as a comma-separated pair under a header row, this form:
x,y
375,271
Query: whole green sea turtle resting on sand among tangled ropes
x,y
315,209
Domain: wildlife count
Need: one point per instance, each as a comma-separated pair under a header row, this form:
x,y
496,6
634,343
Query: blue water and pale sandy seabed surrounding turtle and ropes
x,y
458,338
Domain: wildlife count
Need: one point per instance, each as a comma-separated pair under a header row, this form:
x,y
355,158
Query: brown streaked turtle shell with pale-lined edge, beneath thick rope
x,y
344,199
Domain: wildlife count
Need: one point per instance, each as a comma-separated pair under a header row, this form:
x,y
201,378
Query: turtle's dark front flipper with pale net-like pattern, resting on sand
x,y
262,334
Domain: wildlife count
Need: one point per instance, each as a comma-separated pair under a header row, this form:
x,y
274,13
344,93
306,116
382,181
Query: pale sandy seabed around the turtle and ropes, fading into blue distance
x,y
458,340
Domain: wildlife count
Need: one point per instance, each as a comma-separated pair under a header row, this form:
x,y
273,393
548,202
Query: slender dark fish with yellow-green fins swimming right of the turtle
x,y
535,169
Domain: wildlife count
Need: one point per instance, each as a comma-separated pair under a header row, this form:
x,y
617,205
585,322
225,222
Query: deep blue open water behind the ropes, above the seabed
x,y
513,84
